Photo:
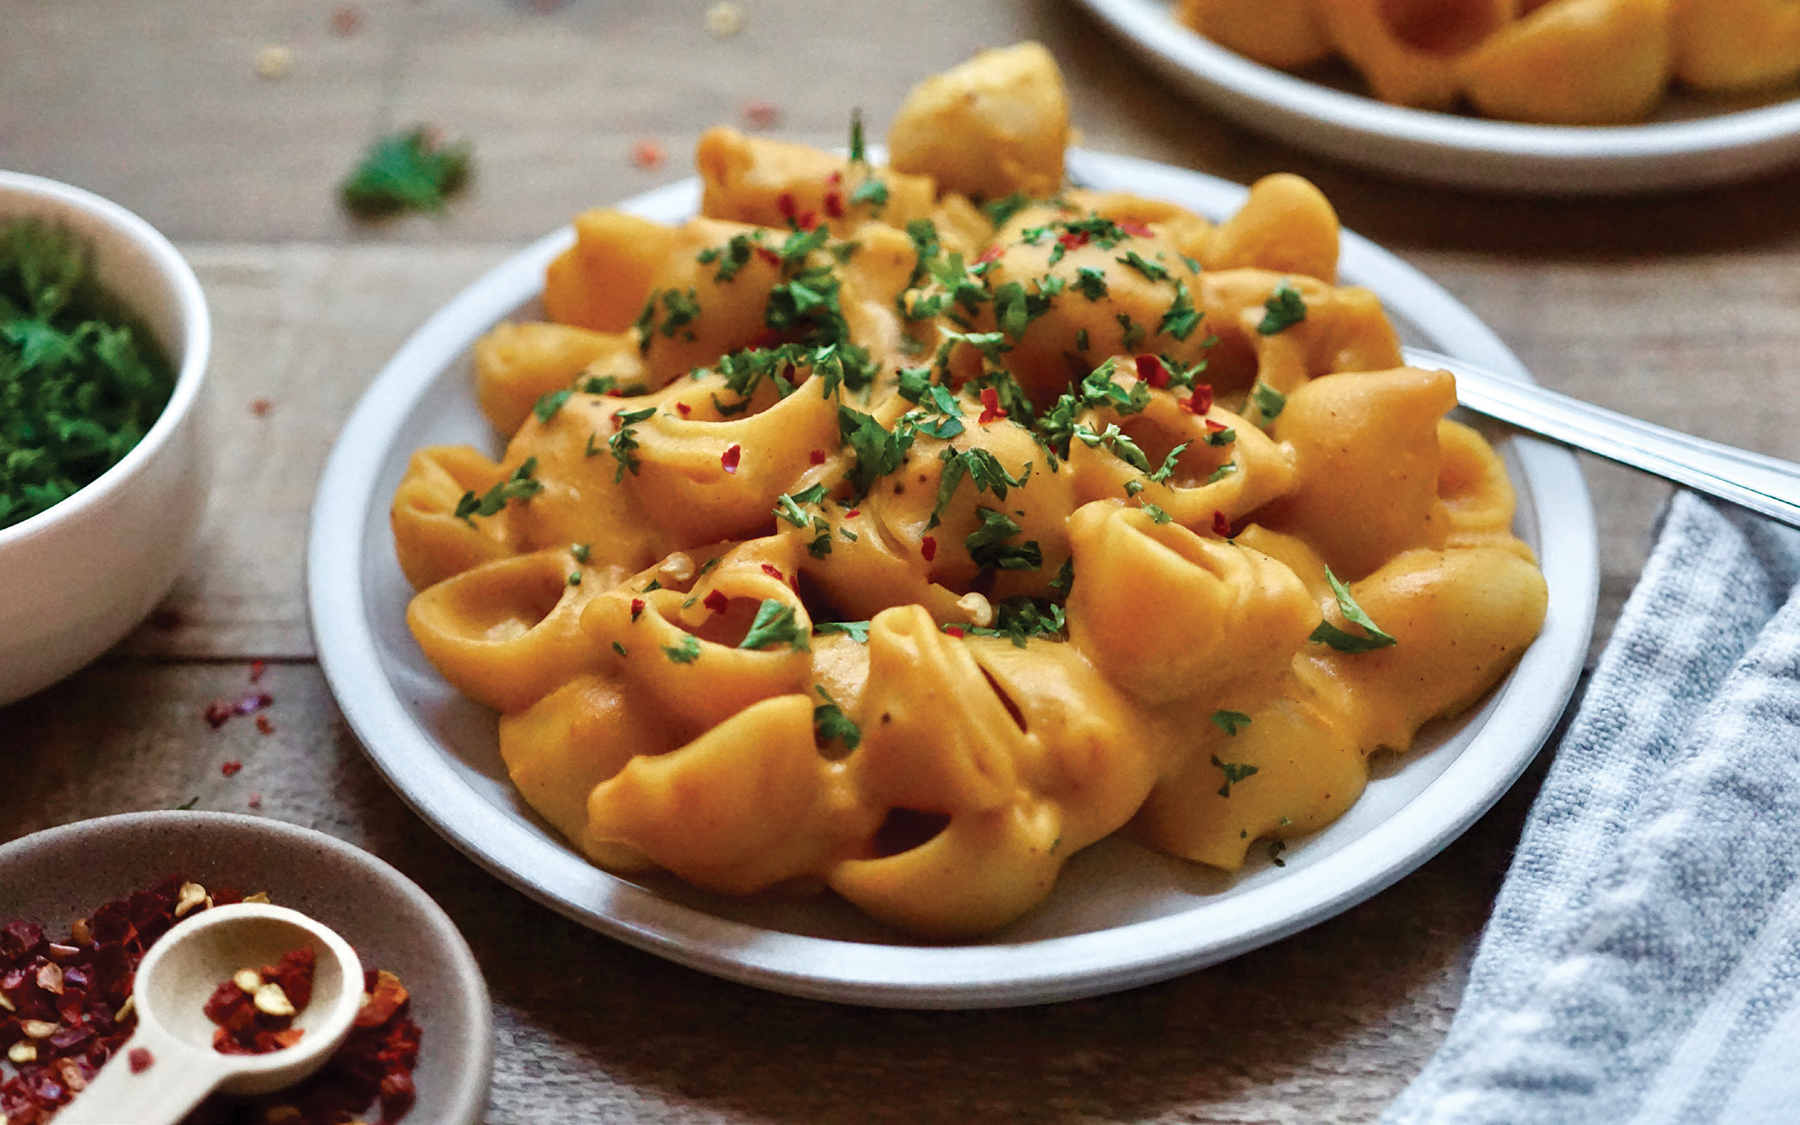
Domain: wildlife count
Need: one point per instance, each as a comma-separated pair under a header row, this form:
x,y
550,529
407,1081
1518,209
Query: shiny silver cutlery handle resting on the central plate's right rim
x,y
1763,485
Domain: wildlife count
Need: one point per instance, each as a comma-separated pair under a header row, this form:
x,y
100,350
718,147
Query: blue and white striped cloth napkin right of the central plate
x,y
1642,966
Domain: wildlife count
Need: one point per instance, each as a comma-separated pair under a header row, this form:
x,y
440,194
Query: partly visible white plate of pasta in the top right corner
x,y
1689,145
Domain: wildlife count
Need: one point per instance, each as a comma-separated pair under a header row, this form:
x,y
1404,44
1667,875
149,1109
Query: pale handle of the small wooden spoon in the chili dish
x,y
168,1084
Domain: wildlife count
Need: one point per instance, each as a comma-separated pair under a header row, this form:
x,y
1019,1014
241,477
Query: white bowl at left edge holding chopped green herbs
x,y
78,577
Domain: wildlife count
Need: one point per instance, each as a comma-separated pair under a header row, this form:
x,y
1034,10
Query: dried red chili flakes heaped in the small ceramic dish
x,y
66,1009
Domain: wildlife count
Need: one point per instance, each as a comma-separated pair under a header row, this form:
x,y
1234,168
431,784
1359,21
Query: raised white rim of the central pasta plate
x,y
910,976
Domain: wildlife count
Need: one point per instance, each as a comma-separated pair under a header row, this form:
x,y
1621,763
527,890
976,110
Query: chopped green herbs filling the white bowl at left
x,y
80,382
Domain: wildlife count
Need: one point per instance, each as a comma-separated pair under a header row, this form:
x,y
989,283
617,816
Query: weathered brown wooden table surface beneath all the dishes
x,y
1680,309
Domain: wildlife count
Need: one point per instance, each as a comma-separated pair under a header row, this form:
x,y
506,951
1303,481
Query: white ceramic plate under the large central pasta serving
x,y
1120,915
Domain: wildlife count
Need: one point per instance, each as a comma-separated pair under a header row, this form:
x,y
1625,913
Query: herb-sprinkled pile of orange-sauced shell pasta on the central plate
x,y
903,530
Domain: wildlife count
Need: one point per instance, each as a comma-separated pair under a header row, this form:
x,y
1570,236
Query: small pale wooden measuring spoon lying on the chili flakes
x,y
170,994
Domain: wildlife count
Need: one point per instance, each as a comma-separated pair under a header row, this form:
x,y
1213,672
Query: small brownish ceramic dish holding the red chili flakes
x,y
58,876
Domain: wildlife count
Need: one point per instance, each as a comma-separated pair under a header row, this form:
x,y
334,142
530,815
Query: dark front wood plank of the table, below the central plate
x,y
1324,1027
